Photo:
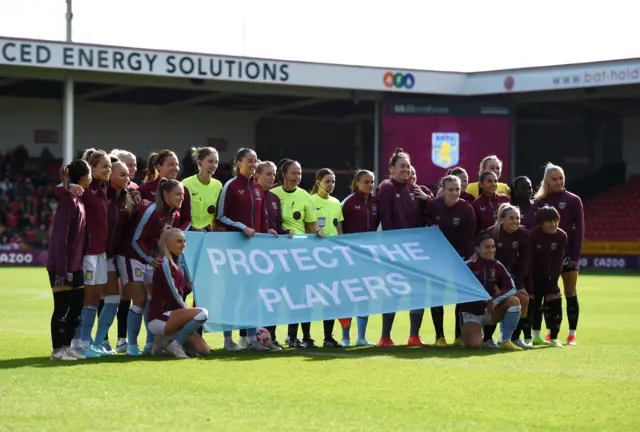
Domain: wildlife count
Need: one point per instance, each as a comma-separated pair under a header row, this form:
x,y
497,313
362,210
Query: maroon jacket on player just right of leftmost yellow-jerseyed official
x,y
242,205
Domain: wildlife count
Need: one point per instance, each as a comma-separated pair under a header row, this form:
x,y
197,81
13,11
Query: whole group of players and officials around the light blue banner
x,y
116,248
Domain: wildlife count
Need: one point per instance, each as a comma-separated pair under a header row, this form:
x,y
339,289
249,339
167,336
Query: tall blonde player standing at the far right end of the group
x,y
553,193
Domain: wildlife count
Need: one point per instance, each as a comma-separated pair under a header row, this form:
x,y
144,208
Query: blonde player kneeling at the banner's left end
x,y
174,325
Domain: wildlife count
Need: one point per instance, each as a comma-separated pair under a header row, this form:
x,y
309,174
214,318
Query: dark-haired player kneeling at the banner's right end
x,y
504,307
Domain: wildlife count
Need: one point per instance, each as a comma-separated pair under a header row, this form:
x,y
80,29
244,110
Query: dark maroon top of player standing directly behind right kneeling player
x,y
513,250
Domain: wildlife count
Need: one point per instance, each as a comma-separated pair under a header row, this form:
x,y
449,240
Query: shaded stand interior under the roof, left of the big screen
x,y
318,127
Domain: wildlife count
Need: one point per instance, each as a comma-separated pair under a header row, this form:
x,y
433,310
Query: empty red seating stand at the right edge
x,y
615,214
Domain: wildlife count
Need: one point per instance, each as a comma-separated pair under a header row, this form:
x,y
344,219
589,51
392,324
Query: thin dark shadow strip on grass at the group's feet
x,y
319,354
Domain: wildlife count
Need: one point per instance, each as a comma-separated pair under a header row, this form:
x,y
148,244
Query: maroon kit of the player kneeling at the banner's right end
x,y
495,279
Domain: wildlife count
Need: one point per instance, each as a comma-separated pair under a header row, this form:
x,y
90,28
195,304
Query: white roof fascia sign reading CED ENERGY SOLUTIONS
x,y
98,58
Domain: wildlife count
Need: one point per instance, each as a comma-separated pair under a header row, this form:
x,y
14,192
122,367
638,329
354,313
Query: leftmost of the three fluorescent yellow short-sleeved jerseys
x,y
204,201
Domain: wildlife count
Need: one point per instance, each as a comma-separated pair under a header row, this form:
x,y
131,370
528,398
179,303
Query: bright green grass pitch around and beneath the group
x,y
592,387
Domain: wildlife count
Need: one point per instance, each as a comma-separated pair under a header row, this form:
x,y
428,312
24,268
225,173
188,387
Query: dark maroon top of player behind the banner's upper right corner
x,y
457,223
